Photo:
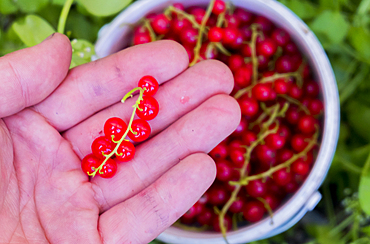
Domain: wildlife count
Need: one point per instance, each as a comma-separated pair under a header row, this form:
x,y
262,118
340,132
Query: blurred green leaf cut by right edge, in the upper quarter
x,y
359,37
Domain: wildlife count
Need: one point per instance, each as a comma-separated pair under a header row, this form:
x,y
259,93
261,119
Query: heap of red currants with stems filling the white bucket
x,y
272,151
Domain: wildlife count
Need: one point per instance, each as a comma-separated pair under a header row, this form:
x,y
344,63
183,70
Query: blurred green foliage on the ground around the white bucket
x,y
343,27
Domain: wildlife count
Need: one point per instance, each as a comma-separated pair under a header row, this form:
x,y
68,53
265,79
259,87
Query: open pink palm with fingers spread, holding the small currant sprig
x,y
50,116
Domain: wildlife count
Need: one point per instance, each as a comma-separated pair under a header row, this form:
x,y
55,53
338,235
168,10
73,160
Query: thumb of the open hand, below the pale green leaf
x,y
28,76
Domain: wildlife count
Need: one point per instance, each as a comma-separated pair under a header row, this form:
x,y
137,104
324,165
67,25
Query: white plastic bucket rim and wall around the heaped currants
x,y
114,36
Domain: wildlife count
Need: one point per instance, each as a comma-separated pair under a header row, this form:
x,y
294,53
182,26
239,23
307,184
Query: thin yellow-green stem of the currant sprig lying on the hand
x,y
135,106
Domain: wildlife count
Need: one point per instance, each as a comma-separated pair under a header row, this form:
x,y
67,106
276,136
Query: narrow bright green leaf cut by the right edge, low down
x,y
364,188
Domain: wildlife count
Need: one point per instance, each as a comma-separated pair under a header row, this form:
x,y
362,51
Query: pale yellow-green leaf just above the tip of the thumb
x,y
32,30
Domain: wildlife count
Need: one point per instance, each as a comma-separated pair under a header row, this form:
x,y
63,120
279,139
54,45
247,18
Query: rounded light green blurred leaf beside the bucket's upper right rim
x,y
331,24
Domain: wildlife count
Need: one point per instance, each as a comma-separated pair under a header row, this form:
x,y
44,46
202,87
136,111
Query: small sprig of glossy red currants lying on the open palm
x,y
114,143
